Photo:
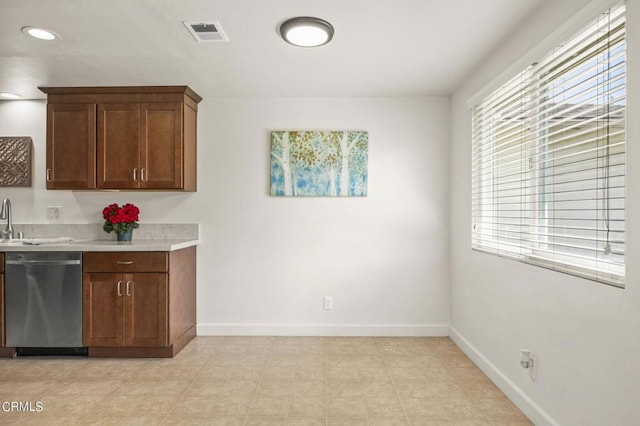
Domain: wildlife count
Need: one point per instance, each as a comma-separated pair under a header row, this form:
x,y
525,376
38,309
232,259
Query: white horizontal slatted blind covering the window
x,y
548,158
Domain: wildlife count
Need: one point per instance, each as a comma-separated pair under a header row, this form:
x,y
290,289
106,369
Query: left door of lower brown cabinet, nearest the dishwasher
x,y
103,309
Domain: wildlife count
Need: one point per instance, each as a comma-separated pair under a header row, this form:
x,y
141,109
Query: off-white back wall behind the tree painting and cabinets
x,y
265,262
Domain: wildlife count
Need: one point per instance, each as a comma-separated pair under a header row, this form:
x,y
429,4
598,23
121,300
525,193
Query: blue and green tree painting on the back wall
x,y
319,163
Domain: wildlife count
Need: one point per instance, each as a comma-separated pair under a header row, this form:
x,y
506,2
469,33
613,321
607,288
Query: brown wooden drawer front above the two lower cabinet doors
x,y
139,261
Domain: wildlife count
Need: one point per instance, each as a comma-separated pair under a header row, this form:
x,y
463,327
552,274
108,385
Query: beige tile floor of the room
x,y
263,381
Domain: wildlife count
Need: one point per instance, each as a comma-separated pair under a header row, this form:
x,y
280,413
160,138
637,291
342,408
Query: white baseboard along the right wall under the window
x,y
535,413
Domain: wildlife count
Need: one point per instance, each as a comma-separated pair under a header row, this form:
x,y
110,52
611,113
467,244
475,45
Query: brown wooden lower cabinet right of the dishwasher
x,y
138,304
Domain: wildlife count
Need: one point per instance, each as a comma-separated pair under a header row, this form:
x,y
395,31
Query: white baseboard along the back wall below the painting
x,y
244,329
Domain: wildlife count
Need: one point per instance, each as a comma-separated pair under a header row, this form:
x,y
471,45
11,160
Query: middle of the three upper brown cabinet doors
x,y
118,146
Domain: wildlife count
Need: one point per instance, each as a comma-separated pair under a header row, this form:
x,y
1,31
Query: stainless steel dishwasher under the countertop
x,y
43,297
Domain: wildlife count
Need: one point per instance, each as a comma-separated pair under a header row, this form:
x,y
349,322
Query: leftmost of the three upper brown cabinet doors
x,y
71,146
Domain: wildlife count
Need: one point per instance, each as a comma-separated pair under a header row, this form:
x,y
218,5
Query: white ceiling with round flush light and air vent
x,y
380,48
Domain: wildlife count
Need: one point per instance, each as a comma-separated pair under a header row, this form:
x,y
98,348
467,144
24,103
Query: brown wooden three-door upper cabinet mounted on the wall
x,y
121,138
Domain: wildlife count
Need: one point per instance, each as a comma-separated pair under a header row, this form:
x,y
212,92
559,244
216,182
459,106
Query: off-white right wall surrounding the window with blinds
x,y
584,334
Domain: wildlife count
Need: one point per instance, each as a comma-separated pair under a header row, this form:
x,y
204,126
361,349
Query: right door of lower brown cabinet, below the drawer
x,y
146,310
